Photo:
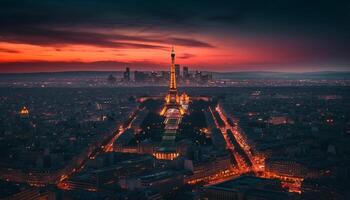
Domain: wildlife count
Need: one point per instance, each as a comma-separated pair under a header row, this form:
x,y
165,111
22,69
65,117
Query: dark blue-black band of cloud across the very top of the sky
x,y
177,14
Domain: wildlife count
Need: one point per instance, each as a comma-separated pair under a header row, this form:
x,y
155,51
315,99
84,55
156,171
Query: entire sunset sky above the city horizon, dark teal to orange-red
x,y
232,35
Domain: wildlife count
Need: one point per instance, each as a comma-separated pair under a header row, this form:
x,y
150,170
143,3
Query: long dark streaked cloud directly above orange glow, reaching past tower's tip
x,y
45,37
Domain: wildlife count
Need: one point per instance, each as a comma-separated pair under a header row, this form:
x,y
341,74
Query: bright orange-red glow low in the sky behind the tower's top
x,y
240,54
